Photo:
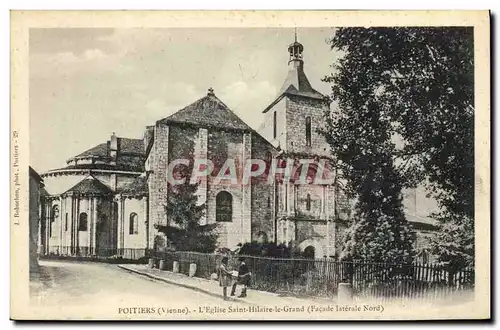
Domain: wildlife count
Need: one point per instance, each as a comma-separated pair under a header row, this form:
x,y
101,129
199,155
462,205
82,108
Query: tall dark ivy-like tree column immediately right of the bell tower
x,y
360,135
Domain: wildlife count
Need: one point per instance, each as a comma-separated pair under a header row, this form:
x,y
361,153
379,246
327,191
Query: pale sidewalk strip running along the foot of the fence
x,y
212,288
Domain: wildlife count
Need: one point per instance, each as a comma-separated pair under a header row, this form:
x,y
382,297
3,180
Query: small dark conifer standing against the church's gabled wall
x,y
184,230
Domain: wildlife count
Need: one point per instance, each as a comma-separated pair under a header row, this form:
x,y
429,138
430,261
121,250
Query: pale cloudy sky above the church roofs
x,y
87,83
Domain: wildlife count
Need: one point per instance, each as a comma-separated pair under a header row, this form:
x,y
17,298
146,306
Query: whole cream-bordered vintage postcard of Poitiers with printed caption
x,y
250,165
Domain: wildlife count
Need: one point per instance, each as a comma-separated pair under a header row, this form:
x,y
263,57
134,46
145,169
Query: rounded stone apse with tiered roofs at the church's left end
x,y
83,210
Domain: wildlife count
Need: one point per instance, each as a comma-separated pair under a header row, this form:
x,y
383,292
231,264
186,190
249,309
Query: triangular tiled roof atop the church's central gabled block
x,y
208,111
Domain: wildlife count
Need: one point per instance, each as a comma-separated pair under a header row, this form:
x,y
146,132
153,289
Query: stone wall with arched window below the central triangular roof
x,y
217,146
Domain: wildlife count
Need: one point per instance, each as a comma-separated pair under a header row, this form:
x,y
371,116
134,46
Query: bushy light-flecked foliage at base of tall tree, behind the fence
x,y
380,232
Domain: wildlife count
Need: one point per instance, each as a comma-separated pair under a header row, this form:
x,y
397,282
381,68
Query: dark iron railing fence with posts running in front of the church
x,y
320,277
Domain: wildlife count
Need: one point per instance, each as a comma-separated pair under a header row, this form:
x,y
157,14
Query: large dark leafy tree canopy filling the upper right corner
x,y
421,81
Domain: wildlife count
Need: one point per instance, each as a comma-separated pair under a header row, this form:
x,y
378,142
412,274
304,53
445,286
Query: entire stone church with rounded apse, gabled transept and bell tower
x,y
107,199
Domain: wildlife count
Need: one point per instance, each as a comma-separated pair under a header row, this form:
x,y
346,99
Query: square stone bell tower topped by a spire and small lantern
x,y
291,124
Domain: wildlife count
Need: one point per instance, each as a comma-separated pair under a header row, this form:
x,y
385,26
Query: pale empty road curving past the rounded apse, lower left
x,y
84,284
